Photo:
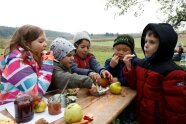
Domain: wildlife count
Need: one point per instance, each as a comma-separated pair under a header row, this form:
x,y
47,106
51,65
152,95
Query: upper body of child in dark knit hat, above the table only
x,y
123,45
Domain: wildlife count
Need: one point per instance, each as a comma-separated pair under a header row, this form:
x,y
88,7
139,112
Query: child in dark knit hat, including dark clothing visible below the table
x,y
123,45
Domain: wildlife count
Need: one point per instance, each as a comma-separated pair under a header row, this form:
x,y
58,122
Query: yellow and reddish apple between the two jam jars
x,y
40,106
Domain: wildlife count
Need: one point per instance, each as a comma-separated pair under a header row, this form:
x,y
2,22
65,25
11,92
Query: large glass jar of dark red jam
x,y
23,108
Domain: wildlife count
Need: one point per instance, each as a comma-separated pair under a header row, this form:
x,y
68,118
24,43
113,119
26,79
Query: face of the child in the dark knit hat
x,y
121,50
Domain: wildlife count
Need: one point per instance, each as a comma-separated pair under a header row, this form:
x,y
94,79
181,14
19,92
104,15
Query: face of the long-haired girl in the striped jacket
x,y
38,45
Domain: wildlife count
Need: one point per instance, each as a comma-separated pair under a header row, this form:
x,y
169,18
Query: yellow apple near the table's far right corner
x,y
115,88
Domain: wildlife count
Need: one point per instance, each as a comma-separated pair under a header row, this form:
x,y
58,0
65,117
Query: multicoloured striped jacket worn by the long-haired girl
x,y
22,77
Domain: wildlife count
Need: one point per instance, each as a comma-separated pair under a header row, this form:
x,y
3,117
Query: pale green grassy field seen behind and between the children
x,y
102,48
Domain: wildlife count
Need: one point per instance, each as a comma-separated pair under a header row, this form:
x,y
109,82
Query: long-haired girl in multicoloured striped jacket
x,y
24,67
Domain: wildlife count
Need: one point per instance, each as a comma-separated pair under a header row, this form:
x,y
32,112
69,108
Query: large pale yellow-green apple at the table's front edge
x,y
73,113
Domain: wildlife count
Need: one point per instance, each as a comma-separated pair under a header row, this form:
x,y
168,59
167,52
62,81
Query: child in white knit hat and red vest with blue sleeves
x,y
85,62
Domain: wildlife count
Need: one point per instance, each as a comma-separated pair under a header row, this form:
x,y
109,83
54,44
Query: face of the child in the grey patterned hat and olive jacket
x,y
68,60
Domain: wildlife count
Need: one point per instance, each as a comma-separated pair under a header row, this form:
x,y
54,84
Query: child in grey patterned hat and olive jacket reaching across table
x,y
63,51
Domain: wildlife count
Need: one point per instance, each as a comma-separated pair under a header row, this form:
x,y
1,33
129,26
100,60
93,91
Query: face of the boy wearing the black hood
x,y
151,45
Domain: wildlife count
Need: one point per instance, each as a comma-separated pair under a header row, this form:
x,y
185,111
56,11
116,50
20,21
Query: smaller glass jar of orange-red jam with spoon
x,y
54,106
